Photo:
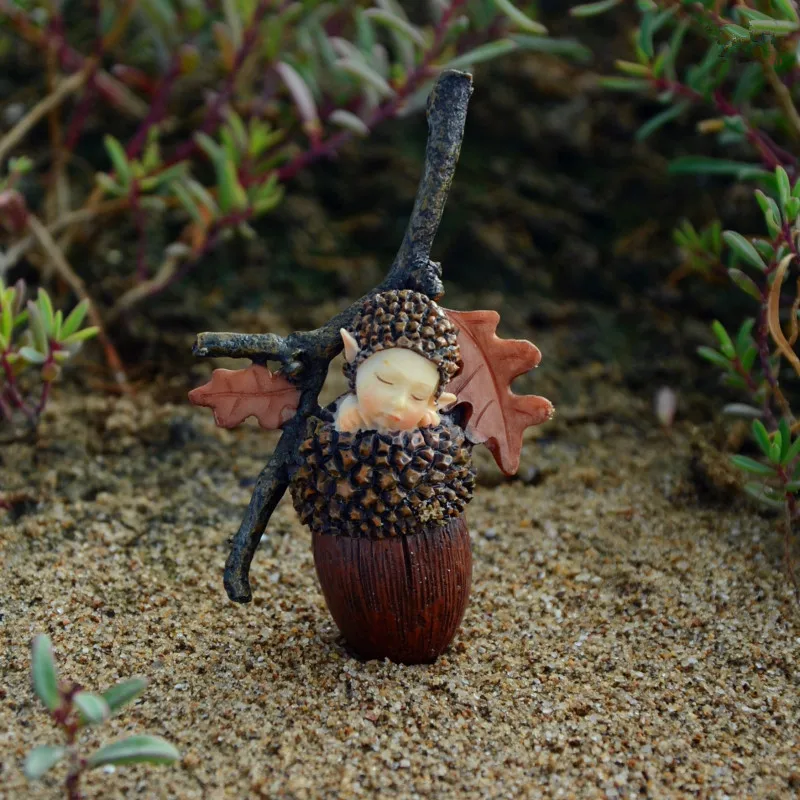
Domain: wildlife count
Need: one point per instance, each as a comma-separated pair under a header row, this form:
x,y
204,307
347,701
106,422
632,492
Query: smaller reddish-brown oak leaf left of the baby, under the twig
x,y
235,394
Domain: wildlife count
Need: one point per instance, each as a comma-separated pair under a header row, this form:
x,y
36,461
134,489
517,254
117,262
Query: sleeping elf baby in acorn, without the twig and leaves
x,y
383,482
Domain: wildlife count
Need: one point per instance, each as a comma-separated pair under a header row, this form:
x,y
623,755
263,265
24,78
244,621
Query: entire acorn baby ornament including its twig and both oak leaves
x,y
383,476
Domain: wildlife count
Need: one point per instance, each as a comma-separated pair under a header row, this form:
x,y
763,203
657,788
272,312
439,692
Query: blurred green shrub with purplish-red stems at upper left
x,y
214,107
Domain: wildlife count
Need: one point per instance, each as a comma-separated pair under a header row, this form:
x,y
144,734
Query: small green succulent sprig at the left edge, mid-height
x,y
35,340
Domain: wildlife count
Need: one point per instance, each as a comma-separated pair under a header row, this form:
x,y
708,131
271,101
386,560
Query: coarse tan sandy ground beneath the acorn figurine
x,y
630,633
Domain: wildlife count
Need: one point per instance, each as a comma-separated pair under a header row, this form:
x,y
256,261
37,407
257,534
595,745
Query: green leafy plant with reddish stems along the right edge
x,y
747,78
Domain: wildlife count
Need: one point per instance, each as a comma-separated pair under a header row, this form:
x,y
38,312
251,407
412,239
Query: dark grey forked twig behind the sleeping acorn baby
x,y
305,355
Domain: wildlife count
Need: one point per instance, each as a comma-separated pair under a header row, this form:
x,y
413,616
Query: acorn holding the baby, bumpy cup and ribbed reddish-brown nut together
x,y
391,545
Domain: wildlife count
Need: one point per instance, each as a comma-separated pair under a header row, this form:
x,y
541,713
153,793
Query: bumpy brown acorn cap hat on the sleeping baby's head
x,y
409,319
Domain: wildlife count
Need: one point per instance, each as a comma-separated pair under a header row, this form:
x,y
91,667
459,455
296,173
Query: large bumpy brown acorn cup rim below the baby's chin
x,y
371,484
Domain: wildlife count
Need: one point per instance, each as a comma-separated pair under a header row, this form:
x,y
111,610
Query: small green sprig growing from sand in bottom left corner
x,y
73,709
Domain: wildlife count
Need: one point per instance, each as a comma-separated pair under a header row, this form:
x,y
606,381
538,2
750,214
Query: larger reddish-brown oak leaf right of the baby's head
x,y
497,417
